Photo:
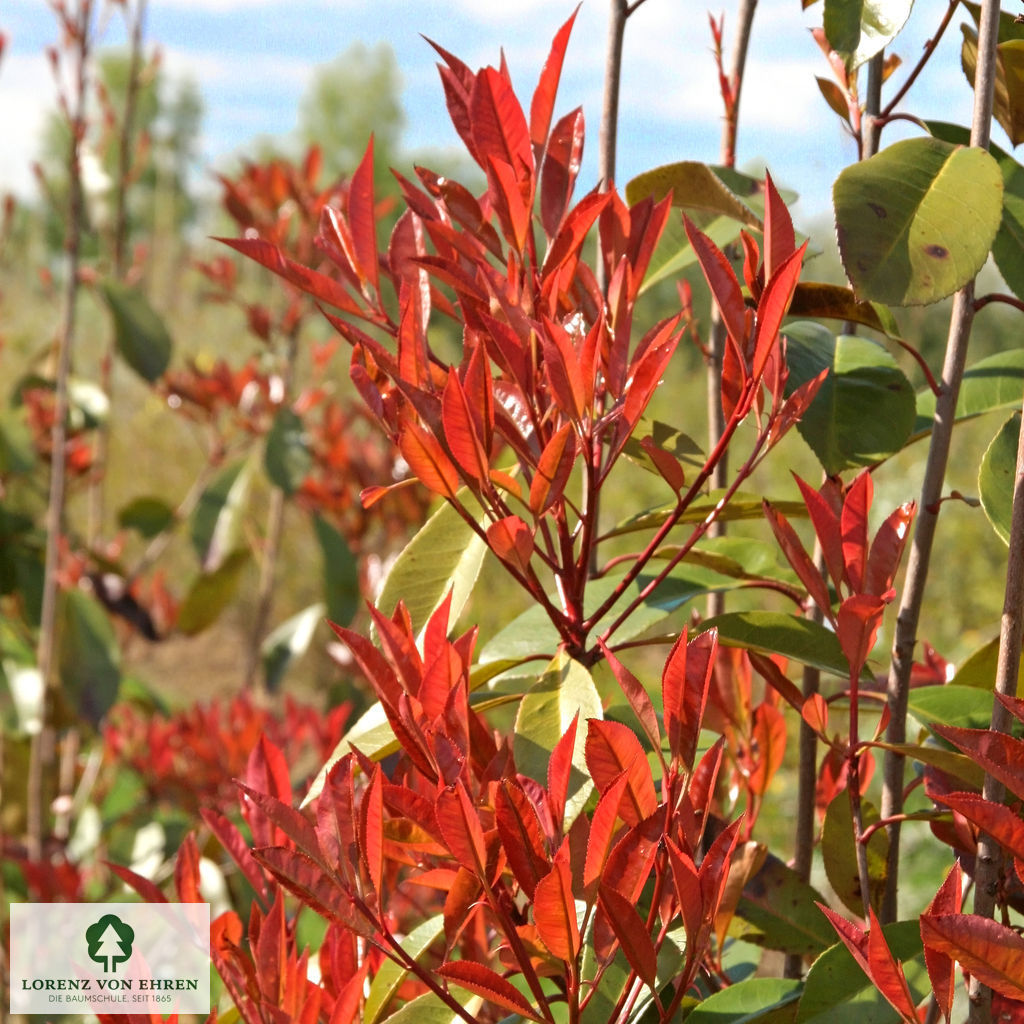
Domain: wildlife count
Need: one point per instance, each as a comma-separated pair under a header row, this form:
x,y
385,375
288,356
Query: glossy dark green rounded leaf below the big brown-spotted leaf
x,y
865,411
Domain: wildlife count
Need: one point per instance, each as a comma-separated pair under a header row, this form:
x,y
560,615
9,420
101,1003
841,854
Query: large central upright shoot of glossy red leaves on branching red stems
x,y
521,435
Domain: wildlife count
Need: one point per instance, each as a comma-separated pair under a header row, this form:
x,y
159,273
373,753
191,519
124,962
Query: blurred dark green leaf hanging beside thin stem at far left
x,y
88,655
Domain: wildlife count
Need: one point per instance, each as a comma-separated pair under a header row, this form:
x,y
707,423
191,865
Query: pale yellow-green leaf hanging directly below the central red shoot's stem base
x,y
566,690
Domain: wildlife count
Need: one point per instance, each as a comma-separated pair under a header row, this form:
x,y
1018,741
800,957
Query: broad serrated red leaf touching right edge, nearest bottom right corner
x,y
993,953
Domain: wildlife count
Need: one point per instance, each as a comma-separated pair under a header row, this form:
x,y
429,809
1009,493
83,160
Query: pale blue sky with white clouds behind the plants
x,y
252,61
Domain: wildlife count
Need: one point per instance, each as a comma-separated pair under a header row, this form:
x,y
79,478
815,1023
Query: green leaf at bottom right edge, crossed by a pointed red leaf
x,y
838,992
